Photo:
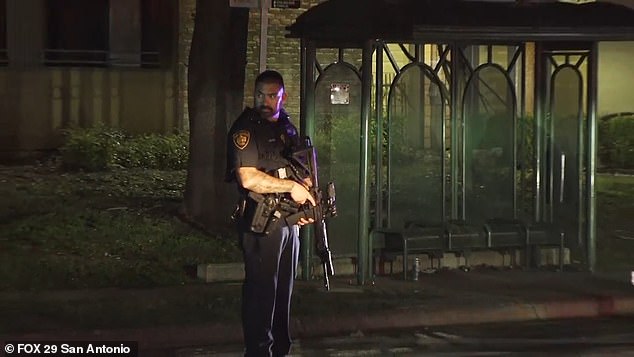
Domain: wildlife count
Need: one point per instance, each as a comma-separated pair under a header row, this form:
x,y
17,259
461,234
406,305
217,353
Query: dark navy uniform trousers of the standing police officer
x,y
270,264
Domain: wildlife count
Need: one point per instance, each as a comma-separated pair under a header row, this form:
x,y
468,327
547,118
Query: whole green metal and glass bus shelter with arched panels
x,y
452,126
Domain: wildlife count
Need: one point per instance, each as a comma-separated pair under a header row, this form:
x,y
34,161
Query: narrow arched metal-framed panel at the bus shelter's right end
x,y
564,156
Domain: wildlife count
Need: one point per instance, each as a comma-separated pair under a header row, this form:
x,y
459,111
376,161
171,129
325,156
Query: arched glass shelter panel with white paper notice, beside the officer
x,y
338,149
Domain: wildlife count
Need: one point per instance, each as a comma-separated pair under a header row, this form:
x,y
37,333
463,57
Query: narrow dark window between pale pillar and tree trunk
x,y
157,32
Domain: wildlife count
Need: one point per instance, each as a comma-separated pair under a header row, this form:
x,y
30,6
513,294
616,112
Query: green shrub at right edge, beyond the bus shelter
x,y
616,141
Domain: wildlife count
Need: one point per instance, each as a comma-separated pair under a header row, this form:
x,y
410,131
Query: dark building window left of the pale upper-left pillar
x,y
77,33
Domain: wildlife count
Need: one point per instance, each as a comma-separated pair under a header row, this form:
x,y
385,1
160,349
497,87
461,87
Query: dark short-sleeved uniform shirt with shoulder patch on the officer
x,y
257,142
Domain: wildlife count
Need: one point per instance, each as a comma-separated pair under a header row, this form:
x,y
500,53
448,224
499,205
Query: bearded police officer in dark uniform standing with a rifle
x,y
256,145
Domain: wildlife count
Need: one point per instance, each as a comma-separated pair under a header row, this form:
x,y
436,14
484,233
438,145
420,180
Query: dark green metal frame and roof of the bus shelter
x,y
565,41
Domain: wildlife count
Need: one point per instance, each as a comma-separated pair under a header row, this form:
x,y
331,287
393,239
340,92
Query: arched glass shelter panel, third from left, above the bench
x,y
488,117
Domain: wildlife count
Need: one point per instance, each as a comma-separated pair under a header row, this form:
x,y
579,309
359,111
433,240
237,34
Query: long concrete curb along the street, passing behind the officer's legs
x,y
163,337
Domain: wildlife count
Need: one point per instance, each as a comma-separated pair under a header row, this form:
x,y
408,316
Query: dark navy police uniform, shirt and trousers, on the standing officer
x,y
270,260
